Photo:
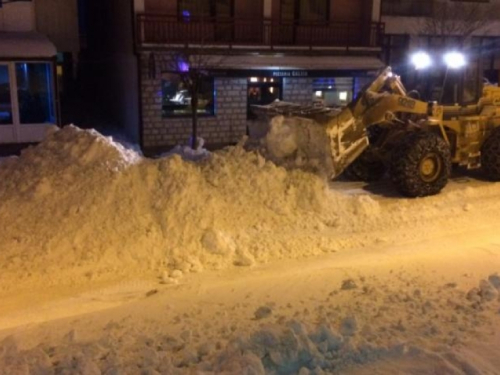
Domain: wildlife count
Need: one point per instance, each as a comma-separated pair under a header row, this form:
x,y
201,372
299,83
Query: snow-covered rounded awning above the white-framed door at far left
x,y
25,45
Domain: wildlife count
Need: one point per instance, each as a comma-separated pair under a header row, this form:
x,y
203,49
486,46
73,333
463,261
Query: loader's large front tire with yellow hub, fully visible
x,y
421,164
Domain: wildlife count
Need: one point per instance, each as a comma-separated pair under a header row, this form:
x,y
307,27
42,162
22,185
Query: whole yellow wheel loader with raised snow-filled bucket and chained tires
x,y
389,130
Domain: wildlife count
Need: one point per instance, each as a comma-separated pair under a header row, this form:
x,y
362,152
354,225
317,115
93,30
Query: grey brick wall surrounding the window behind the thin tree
x,y
228,124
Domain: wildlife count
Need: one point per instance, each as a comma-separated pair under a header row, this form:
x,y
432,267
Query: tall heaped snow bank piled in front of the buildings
x,y
81,207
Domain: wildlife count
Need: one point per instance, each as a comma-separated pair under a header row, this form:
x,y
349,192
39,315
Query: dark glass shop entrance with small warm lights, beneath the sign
x,y
262,91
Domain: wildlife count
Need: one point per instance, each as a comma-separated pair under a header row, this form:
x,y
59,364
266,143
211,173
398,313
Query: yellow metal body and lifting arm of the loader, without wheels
x,y
384,102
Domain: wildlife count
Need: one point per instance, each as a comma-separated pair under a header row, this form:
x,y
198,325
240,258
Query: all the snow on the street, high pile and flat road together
x,y
113,263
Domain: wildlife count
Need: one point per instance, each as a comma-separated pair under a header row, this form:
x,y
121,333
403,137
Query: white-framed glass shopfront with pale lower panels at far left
x,y
27,101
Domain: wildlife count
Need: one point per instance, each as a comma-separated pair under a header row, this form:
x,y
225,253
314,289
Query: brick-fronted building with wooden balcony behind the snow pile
x,y
255,51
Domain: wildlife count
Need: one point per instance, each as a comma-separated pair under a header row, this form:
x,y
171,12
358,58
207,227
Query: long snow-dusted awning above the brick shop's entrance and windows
x,y
287,62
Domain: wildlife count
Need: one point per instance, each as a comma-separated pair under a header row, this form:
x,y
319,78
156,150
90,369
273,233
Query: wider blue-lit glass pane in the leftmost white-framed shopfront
x,y
35,93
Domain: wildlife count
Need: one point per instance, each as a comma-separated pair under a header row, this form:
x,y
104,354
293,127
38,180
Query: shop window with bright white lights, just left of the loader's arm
x,y
333,92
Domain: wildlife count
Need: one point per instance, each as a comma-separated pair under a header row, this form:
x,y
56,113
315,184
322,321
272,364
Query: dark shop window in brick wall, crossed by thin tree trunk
x,y
177,99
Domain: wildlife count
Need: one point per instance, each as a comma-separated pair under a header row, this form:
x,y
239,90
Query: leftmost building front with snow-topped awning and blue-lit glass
x,y
34,36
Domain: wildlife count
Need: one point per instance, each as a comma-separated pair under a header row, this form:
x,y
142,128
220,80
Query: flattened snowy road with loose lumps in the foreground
x,y
387,309
